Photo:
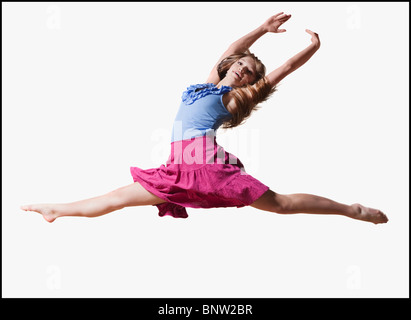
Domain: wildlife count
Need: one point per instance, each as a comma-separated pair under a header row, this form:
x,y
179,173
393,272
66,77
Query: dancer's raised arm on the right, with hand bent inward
x,y
296,61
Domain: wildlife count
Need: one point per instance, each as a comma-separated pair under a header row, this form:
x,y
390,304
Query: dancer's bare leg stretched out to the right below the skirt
x,y
308,203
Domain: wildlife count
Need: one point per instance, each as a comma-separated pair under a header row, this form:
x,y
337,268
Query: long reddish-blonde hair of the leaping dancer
x,y
246,98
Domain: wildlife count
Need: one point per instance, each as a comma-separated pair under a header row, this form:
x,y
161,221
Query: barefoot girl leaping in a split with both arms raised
x,y
200,173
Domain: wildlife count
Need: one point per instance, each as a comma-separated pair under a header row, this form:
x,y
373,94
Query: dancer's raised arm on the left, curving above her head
x,y
272,24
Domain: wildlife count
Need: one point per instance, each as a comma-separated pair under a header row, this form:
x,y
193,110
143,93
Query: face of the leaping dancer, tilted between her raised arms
x,y
242,72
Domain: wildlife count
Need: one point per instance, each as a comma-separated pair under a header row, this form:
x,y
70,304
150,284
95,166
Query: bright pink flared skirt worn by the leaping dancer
x,y
199,173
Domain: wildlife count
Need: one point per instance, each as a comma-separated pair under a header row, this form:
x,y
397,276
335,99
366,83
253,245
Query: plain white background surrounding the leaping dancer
x,y
90,89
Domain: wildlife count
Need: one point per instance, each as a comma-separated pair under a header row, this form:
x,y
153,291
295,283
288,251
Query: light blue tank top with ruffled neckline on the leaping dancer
x,y
201,111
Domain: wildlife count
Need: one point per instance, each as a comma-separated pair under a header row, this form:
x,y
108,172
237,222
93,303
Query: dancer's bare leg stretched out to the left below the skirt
x,y
130,195
